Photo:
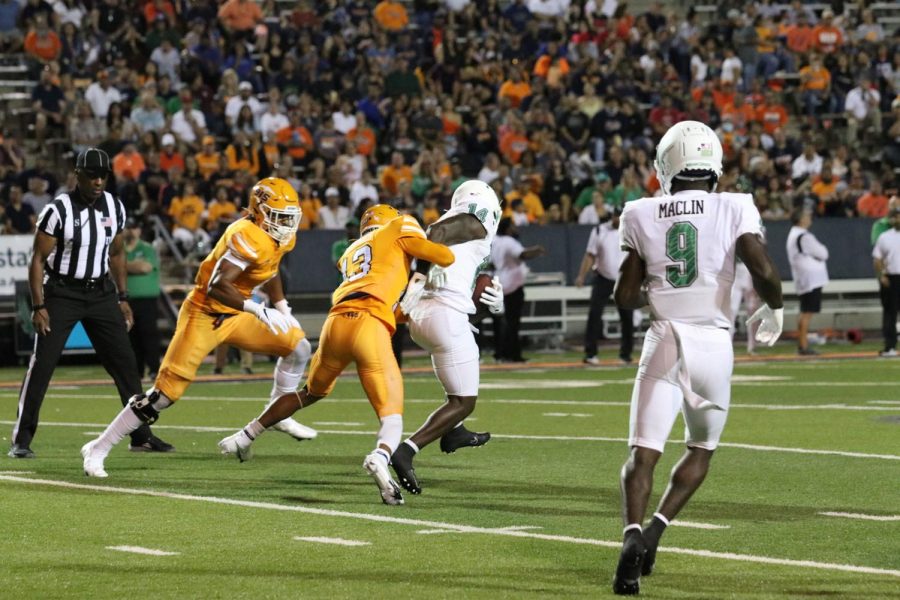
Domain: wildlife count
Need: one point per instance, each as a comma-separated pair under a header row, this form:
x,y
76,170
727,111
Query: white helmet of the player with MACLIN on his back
x,y
689,150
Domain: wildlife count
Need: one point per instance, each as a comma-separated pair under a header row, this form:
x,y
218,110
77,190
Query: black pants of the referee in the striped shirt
x,y
98,310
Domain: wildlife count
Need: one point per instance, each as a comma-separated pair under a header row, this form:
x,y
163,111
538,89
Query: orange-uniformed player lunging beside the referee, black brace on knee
x,y
219,310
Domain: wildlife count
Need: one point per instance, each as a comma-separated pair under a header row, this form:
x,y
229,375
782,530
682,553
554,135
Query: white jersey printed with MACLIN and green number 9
x,y
687,241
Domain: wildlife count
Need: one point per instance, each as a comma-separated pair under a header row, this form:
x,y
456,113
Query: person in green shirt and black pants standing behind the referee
x,y
142,266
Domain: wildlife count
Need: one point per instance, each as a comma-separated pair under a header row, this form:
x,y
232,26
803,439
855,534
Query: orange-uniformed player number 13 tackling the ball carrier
x,y
358,329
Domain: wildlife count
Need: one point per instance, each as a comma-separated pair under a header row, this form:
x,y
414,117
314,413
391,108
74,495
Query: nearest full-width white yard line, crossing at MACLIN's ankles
x,y
810,564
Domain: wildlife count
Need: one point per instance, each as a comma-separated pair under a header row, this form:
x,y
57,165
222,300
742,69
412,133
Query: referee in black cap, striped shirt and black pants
x,y
78,244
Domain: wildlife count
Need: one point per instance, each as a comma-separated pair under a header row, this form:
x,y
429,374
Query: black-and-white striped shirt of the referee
x,y
83,234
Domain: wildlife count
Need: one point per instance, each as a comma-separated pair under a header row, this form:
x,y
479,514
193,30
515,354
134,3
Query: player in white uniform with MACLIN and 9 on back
x,y
680,258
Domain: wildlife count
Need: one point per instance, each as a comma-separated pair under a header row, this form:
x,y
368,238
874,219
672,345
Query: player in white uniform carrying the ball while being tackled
x,y
439,323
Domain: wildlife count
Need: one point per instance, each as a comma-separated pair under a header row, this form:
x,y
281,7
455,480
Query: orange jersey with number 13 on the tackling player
x,y
377,264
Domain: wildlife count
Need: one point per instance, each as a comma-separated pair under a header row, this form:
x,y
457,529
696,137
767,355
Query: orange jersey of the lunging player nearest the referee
x,y
249,246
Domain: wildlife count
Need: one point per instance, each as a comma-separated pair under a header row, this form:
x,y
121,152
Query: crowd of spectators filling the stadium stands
x,y
556,104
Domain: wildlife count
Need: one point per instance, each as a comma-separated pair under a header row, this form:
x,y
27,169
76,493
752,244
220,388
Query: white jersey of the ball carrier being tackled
x,y
471,258
